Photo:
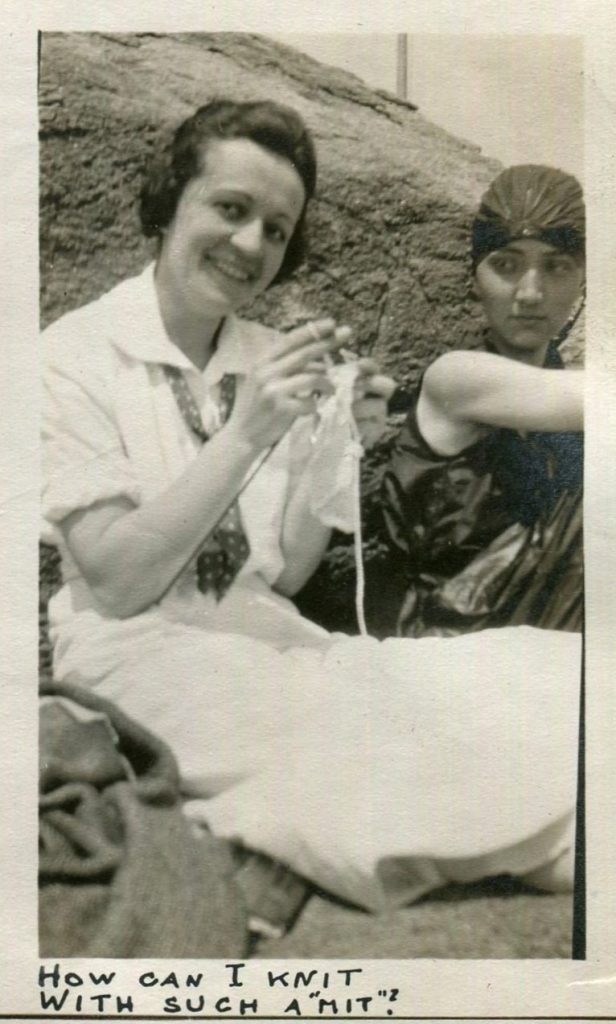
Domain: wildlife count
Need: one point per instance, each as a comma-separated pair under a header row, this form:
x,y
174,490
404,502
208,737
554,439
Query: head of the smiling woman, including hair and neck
x,y
228,205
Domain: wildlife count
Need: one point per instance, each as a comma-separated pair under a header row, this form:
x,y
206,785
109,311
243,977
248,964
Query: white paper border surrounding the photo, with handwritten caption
x,y
429,990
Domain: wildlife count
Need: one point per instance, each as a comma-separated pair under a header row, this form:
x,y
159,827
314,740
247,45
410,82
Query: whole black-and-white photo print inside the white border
x,y
312,562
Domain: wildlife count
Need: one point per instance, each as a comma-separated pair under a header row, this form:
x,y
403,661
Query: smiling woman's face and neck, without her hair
x,y
228,240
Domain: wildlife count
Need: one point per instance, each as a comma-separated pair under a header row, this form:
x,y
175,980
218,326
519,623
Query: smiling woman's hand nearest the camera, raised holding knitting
x,y
284,385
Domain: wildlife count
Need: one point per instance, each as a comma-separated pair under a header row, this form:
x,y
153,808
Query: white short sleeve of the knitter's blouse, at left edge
x,y
83,457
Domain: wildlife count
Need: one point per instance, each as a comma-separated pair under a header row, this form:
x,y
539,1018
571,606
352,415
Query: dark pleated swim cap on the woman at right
x,y
531,202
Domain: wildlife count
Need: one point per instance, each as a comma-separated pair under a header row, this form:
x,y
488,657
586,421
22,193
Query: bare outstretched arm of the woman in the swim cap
x,y
465,391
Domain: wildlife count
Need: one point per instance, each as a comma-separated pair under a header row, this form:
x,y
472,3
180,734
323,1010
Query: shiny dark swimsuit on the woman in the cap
x,y
490,537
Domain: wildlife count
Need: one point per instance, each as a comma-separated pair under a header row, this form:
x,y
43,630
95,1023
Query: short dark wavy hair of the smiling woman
x,y
275,127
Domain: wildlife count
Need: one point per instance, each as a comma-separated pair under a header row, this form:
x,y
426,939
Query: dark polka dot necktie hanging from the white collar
x,y
227,549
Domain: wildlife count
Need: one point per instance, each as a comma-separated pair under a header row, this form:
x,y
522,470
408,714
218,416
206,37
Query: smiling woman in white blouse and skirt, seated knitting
x,y
189,500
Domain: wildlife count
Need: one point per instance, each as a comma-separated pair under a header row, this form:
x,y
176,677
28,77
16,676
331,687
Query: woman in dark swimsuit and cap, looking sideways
x,y
485,486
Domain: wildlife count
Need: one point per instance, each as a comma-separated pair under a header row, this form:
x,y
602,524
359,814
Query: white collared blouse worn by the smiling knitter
x,y
112,429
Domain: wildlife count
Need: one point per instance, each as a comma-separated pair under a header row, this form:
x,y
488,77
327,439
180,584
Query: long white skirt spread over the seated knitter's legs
x,y
379,771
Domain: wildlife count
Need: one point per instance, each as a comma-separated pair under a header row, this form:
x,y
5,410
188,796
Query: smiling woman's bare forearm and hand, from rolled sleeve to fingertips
x,y
130,557
